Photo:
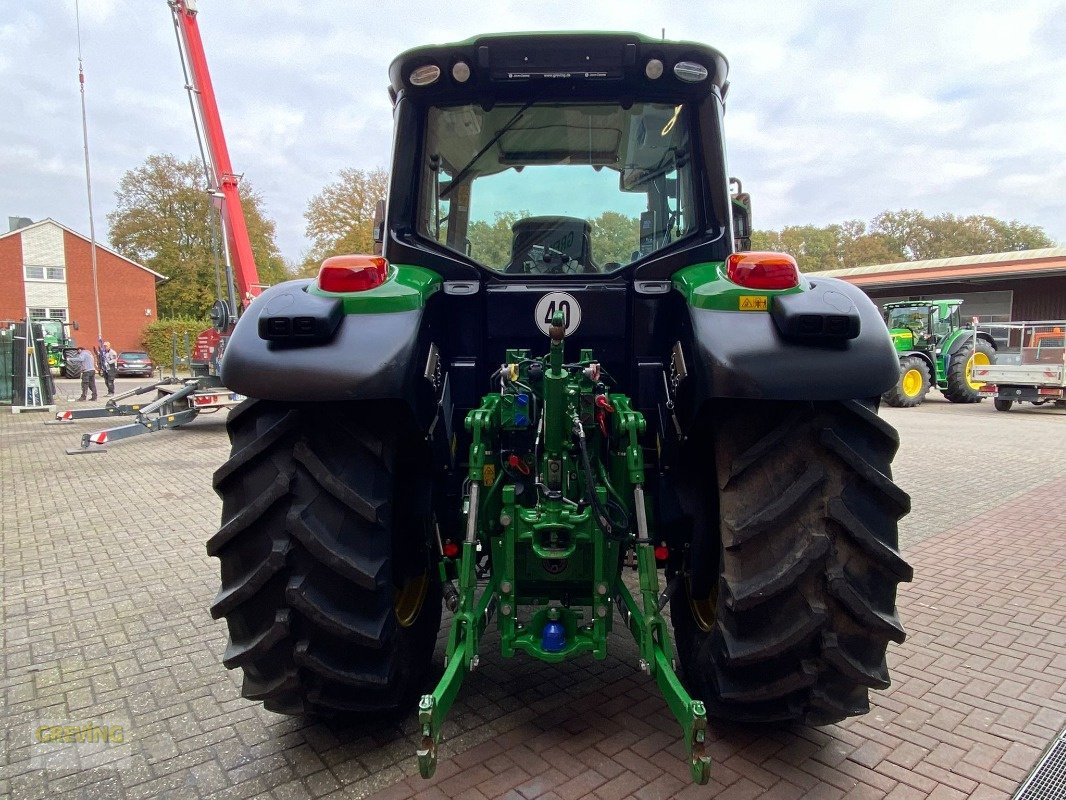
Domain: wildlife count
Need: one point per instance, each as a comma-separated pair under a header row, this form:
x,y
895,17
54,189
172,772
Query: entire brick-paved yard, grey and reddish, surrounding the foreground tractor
x,y
106,587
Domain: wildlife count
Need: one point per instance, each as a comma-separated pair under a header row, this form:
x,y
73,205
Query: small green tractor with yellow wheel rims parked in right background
x,y
933,345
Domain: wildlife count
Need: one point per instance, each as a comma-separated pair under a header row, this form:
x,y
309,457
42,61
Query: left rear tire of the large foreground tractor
x,y
329,581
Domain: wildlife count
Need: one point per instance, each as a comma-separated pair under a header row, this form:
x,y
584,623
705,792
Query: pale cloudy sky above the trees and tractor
x,y
837,110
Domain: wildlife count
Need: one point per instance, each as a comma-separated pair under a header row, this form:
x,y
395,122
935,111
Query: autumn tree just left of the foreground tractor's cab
x,y
341,218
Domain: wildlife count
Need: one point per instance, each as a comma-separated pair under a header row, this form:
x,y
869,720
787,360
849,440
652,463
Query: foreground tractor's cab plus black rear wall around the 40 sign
x,y
538,172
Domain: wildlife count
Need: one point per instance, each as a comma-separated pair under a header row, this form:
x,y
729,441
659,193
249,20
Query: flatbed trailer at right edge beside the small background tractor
x,y
1031,369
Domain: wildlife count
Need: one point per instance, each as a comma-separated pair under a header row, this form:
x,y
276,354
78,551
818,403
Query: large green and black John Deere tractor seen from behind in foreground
x,y
561,365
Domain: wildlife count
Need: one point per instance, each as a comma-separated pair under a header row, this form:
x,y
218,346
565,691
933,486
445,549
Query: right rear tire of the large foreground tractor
x,y
802,580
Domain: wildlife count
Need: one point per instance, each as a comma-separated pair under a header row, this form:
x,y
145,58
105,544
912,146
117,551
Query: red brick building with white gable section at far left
x,y
47,268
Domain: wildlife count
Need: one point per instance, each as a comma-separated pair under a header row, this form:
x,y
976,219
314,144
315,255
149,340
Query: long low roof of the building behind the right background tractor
x,y
1015,264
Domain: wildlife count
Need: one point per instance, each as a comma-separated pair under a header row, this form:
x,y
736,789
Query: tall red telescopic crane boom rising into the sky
x,y
240,262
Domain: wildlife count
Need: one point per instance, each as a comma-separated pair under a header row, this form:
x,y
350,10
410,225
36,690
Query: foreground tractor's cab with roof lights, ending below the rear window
x,y
589,141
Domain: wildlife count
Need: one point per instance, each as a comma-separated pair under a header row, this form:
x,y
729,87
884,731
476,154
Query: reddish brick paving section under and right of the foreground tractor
x,y
979,692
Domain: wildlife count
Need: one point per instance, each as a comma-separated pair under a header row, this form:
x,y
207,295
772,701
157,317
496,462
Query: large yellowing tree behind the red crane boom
x,y
166,220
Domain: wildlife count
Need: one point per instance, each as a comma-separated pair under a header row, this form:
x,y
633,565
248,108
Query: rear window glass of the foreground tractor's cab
x,y
557,188
